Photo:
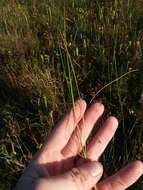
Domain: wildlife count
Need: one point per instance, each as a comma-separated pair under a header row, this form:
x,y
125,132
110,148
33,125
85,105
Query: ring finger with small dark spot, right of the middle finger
x,y
97,146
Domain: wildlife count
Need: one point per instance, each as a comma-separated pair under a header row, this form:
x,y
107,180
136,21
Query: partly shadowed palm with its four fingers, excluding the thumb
x,y
59,154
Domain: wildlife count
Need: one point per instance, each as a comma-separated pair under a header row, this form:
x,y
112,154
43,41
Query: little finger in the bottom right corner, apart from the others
x,y
124,178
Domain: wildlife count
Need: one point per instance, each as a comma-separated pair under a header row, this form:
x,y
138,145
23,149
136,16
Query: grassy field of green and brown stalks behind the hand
x,y
55,51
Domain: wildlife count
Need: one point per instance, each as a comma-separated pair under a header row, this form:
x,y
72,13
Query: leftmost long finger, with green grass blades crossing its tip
x,y
64,129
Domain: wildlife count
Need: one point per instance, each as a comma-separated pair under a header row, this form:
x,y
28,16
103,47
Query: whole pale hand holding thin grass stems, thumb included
x,y
57,165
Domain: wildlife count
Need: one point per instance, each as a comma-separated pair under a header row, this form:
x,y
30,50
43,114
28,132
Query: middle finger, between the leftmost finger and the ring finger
x,y
80,135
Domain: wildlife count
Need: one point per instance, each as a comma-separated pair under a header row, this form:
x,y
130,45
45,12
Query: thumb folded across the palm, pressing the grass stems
x,y
81,178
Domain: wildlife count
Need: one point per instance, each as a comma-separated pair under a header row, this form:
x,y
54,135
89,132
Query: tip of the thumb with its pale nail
x,y
94,168
